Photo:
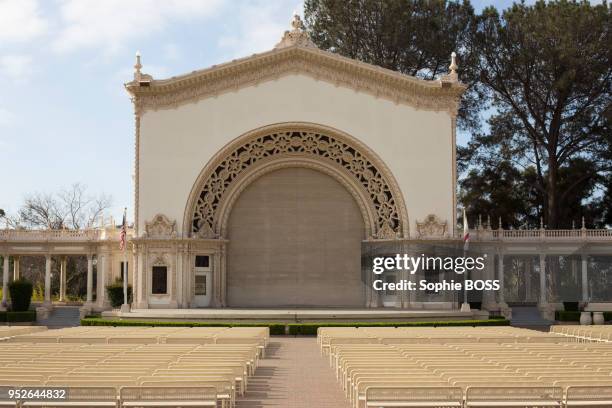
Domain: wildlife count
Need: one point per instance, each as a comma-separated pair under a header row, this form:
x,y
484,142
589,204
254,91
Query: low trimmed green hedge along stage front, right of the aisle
x,y
310,329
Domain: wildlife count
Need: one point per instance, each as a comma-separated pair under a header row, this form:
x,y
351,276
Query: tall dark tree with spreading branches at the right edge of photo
x,y
548,70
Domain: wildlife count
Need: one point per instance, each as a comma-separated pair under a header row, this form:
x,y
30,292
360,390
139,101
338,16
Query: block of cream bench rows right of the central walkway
x,y
456,372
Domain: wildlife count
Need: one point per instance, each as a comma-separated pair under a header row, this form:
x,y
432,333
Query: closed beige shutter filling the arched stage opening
x,y
295,240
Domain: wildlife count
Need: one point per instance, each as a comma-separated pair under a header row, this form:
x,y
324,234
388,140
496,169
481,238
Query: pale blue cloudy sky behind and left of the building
x,y
65,117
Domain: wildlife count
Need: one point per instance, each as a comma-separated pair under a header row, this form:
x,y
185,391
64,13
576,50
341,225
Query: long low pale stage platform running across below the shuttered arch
x,y
296,315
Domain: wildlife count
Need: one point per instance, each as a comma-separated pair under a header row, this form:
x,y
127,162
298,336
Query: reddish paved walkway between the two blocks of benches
x,y
293,375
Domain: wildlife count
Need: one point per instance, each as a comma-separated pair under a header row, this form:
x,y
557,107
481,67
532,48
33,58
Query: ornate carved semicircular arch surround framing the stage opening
x,y
289,144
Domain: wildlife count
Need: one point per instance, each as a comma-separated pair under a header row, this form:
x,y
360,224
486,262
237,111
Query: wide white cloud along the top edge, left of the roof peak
x,y
109,24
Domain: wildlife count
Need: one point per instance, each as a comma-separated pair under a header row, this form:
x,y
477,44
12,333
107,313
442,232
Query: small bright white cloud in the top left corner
x,y
20,20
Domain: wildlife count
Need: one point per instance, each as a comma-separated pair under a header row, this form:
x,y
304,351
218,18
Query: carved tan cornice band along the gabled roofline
x,y
310,61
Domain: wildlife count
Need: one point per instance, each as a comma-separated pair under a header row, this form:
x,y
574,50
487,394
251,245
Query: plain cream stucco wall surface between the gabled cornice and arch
x,y
176,144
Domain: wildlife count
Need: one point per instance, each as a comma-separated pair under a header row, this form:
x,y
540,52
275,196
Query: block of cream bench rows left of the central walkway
x,y
135,368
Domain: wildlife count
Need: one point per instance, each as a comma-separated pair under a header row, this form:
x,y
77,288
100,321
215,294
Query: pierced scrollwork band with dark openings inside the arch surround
x,y
307,144
